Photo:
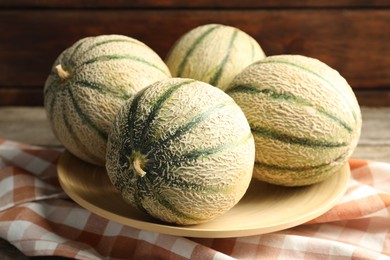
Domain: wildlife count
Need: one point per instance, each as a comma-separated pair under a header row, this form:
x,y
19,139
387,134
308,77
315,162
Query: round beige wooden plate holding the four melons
x,y
264,208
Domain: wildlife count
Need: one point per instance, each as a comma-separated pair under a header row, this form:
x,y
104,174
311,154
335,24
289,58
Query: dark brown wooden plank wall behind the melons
x,y
352,36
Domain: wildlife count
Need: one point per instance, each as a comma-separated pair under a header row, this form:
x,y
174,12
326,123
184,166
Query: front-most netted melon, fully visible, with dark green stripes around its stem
x,y
182,151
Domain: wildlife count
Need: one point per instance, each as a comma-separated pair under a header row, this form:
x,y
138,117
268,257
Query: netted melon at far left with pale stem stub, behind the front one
x,y
88,83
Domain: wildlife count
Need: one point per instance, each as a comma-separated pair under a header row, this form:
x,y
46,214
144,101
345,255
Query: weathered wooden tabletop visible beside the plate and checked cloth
x,y
29,125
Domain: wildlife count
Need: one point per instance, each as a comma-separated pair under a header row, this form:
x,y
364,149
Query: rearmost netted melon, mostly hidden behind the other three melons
x,y
213,53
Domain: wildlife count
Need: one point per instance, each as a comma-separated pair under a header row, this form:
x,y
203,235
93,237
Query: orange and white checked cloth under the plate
x,y
39,219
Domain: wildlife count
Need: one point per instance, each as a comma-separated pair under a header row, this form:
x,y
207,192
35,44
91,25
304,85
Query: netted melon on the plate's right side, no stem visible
x,y
304,116
